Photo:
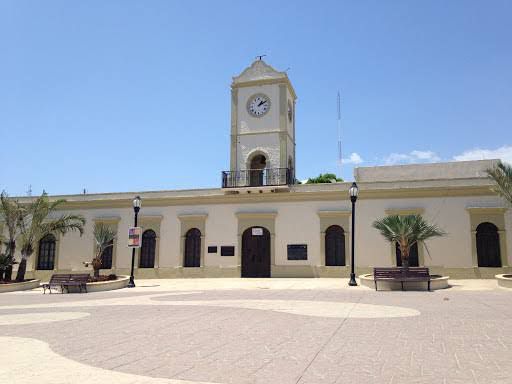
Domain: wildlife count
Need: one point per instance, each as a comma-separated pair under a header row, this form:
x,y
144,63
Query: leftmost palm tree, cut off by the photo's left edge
x,y
9,212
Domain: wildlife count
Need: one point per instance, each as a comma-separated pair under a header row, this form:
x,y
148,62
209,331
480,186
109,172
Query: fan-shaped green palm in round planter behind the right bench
x,y
406,231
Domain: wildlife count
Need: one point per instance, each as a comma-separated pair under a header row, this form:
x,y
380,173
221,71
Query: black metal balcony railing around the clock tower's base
x,y
268,177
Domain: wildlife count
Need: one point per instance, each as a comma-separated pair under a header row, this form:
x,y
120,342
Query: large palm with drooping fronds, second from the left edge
x,y
38,219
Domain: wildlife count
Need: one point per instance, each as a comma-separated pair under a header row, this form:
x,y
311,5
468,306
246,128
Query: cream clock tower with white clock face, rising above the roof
x,y
262,128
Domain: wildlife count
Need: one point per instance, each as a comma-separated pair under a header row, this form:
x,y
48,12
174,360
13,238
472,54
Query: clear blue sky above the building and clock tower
x,y
134,95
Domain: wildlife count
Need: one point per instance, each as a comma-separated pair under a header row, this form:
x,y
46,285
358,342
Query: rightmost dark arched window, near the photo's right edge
x,y
488,245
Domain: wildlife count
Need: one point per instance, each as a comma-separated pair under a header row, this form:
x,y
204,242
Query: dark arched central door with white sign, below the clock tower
x,y
256,252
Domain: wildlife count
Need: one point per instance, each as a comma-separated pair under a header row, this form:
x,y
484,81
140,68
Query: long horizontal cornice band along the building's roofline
x,y
302,192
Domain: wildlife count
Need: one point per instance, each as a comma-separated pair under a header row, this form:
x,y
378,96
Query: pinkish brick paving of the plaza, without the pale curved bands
x,y
458,337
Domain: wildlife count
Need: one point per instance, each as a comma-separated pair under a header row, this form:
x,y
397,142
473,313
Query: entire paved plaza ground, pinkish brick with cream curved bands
x,y
258,331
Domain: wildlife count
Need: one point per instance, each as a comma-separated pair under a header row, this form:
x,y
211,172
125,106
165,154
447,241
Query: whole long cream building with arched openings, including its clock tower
x,y
261,223
